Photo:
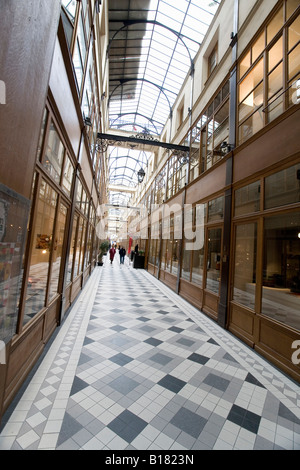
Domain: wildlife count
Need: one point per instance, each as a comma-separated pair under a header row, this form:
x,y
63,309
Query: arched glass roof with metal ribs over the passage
x,y
152,44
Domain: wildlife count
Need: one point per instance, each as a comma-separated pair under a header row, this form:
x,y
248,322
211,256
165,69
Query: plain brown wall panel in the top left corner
x,y
27,38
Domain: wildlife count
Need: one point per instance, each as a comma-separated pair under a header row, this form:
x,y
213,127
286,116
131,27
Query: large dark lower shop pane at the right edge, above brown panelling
x,y
281,269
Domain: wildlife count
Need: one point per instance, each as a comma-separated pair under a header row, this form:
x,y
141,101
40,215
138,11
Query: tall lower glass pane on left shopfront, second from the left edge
x,y
42,246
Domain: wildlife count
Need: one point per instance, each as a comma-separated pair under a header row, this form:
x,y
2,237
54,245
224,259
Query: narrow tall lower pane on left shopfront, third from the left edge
x,y
57,250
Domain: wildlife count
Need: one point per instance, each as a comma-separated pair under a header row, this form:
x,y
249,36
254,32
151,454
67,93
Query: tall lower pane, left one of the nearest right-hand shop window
x,y
244,282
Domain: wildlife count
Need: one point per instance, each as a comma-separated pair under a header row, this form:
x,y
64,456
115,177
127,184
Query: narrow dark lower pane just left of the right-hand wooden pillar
x,y
213,272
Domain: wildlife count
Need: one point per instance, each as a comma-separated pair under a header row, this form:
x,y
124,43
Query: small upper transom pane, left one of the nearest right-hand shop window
x,y
247,199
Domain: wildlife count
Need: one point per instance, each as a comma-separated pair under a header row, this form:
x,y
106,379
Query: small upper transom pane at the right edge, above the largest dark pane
x,y
283,187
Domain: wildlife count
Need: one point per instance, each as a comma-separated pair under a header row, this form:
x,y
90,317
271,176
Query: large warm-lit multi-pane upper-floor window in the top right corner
x,y
269,71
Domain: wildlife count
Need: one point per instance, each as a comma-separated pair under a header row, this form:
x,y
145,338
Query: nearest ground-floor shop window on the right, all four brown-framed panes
x,y
269,283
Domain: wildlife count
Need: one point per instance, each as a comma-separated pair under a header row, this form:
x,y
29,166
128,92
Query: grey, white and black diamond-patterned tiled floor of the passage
x,y
136,367
